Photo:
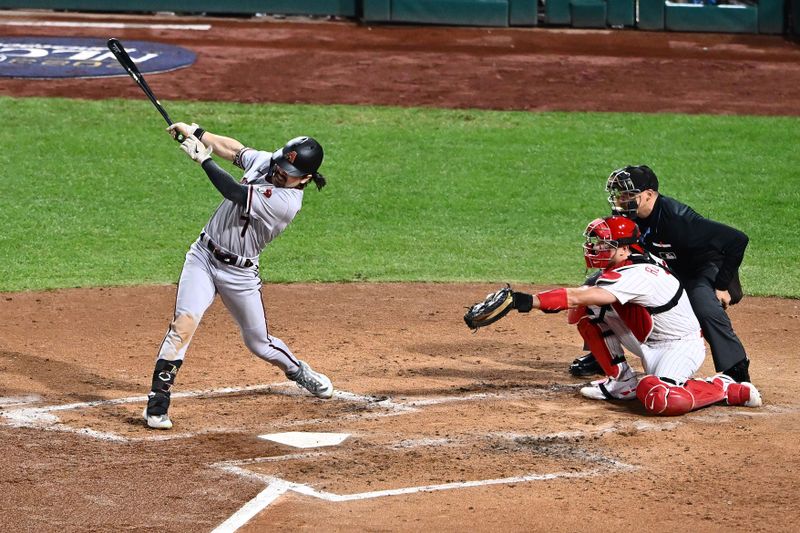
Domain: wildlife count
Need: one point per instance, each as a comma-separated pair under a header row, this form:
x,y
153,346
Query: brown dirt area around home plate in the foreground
x,y
427,404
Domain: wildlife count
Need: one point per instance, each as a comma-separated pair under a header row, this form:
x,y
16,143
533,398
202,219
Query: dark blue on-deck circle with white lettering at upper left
x,y
69,57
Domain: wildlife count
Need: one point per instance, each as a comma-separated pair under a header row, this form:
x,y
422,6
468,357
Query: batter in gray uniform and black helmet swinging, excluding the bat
x,y
224,259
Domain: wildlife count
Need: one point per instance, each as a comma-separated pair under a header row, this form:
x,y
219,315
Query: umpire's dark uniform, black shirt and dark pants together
x,y
705,256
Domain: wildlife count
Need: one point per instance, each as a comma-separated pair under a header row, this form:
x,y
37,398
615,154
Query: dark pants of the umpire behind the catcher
x,y
726,348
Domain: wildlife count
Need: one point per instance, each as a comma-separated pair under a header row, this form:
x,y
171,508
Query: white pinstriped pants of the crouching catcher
x,y
677,359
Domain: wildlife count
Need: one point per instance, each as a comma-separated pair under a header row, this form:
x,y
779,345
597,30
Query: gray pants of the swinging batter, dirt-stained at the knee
x,y
204,276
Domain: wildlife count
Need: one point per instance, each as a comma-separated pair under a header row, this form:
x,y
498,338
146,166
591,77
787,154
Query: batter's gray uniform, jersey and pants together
x,y
242,232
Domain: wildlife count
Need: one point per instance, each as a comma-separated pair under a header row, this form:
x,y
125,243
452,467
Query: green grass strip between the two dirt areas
x,y
95,193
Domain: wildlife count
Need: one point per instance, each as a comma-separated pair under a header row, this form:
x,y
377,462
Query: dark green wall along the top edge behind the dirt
x,y
765,16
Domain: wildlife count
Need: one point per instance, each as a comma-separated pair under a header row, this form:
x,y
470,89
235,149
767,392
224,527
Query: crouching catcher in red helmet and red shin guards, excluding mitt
x,y
639,305
